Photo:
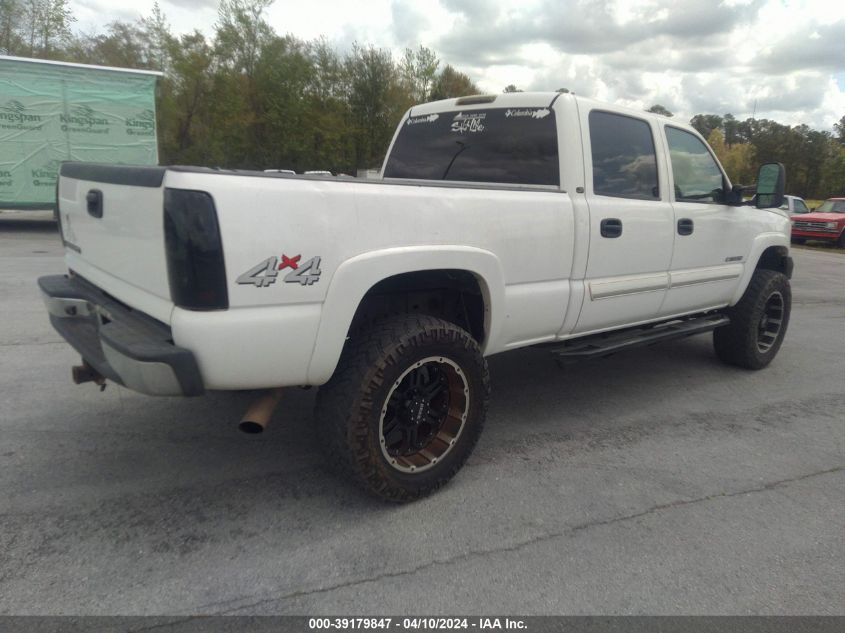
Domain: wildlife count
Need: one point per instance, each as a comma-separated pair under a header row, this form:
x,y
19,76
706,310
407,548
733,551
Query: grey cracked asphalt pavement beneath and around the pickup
x,y
658,481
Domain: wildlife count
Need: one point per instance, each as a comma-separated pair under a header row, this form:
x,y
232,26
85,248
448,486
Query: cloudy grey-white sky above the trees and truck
x,y
785,58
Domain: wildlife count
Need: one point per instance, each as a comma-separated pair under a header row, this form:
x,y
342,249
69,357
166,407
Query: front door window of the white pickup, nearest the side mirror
x,y
696,175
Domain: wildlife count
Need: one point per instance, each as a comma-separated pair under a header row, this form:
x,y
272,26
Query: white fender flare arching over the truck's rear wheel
x,y
354,278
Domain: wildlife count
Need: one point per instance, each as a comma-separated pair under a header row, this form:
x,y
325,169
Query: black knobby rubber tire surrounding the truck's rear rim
x,y
350,408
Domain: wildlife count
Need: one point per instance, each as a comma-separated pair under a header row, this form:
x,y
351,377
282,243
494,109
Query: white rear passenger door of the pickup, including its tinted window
x,y
631,221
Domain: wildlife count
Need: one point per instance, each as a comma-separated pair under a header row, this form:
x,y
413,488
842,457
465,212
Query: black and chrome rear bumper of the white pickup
x,y
124,345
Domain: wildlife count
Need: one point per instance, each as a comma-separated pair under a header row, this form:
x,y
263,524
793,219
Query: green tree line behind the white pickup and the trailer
x,y
246,97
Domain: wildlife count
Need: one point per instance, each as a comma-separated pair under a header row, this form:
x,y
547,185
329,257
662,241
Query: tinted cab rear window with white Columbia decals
x,y
498,145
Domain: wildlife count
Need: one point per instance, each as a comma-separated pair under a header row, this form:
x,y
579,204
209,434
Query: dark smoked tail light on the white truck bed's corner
x,y
195,266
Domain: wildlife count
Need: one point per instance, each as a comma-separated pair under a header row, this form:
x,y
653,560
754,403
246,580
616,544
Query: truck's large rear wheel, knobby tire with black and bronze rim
x,y
405,407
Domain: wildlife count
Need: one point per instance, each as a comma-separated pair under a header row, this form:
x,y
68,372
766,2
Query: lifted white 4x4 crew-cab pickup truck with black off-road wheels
x,y
499,221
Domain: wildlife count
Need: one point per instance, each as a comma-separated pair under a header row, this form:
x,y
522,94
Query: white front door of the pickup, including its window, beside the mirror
x,y
711,240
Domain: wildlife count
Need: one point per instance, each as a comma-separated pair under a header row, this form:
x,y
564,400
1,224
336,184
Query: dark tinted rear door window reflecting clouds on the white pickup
x,y
624,159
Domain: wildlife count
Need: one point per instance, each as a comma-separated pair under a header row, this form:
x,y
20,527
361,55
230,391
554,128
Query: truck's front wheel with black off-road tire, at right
x,y
748,340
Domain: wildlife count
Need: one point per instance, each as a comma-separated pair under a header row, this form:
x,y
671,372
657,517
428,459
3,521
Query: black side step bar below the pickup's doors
x,y
600,345
